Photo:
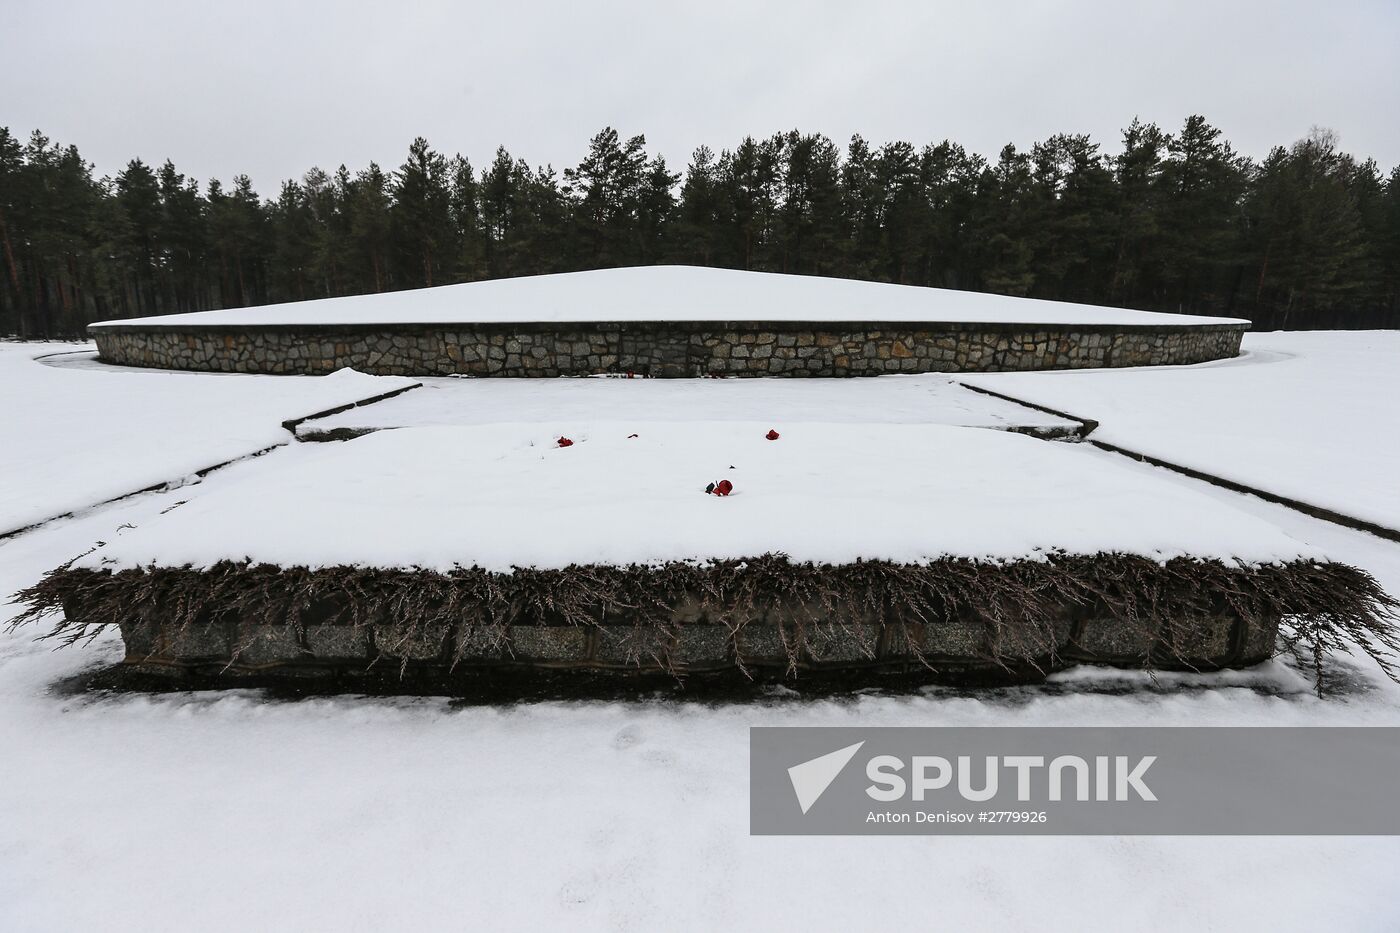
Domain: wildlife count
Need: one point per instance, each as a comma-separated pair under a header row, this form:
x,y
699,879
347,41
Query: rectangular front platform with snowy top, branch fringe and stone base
x,y
909,548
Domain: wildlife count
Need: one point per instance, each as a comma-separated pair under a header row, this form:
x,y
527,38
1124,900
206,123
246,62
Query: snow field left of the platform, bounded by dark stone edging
x,y
73,438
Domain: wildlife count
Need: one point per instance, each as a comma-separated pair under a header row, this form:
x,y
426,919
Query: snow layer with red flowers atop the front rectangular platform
x,y
629,492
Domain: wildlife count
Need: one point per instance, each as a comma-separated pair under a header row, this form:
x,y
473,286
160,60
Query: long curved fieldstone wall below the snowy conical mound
x,y
664,350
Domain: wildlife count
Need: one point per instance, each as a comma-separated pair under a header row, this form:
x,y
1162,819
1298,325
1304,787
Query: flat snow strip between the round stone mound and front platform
x,y
927,400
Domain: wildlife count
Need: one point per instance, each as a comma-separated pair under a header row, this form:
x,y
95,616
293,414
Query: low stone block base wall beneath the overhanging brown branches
x,y
946,652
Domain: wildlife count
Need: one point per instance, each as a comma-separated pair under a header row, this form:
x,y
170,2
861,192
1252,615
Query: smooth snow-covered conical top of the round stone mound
x,y
671,293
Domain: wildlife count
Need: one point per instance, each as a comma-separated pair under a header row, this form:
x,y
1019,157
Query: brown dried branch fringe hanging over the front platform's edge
x,y
1326,609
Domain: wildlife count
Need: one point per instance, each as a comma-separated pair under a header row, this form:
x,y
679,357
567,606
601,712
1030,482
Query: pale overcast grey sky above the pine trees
x,y
274,89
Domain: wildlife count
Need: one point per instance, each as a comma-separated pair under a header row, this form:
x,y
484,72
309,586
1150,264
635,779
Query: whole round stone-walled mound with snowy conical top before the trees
x,y
667,322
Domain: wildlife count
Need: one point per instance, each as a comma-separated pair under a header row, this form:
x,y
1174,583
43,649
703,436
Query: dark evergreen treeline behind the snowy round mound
x,y
1177,222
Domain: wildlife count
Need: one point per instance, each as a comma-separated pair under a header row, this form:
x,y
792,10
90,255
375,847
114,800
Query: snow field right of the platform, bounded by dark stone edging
x,y
1307,415
